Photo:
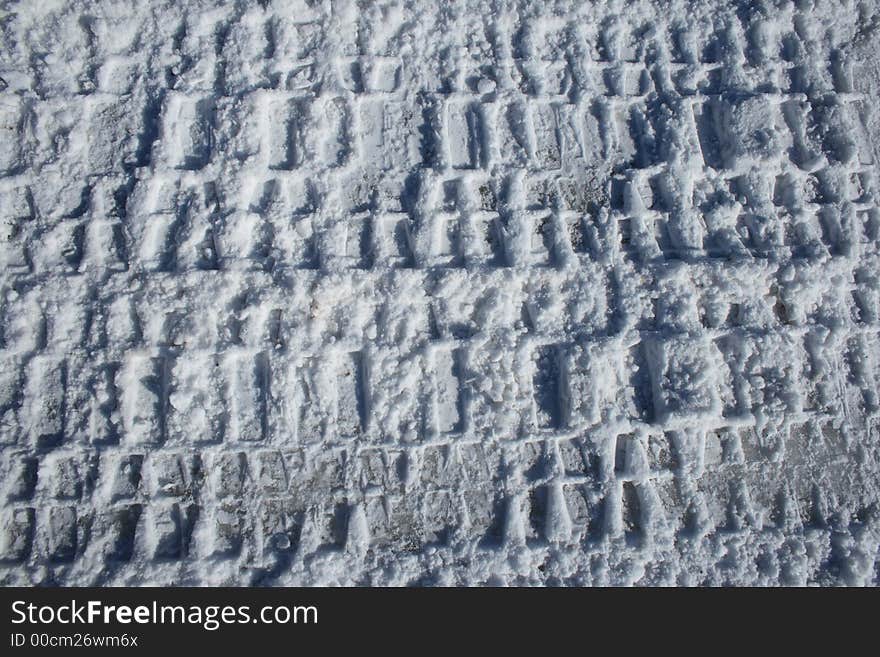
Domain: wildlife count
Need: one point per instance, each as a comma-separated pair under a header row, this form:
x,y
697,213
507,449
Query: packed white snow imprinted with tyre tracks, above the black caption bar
x,y
313,292
